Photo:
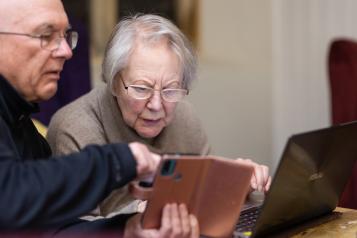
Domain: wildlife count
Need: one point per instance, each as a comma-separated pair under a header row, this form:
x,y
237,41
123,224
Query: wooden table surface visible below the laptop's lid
x,y
342,223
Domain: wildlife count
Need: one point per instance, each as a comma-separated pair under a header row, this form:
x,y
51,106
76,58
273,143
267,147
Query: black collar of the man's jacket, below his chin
x,y
13,107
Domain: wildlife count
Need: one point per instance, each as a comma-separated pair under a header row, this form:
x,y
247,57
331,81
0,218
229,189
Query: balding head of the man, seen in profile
x,y
24,25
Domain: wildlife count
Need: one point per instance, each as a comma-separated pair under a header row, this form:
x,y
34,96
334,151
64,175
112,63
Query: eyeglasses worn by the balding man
x,y
51,41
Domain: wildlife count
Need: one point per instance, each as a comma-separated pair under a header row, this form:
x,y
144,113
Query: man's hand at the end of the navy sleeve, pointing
x,y
146,162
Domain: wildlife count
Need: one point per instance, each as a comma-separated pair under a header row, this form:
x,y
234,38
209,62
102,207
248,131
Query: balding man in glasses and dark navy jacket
x,y
44,193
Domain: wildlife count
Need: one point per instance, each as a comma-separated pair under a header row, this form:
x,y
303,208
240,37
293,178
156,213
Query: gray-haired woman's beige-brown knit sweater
x,y
95,118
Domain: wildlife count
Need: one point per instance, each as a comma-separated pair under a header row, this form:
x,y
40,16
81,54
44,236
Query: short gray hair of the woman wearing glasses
x,y
148,28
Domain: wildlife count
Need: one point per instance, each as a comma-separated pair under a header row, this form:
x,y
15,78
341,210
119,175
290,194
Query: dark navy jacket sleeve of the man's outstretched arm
x,y
47,193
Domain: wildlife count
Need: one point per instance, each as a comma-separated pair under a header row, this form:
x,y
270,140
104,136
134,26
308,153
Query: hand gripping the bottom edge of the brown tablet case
x,y
175,223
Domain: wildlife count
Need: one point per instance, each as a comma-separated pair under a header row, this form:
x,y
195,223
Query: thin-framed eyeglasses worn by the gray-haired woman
x,y
142,92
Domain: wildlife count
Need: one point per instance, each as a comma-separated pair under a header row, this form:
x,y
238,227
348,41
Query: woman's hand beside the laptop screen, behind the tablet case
x,y
260,180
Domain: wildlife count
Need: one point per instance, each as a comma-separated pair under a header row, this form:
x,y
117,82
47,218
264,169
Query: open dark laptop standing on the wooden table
x,y
311,176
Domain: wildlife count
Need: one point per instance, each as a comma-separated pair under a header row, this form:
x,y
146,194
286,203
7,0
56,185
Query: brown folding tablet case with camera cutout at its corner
x,y
214,190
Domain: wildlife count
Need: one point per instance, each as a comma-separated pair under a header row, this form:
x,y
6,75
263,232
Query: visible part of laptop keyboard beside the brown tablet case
x,y
247,219
